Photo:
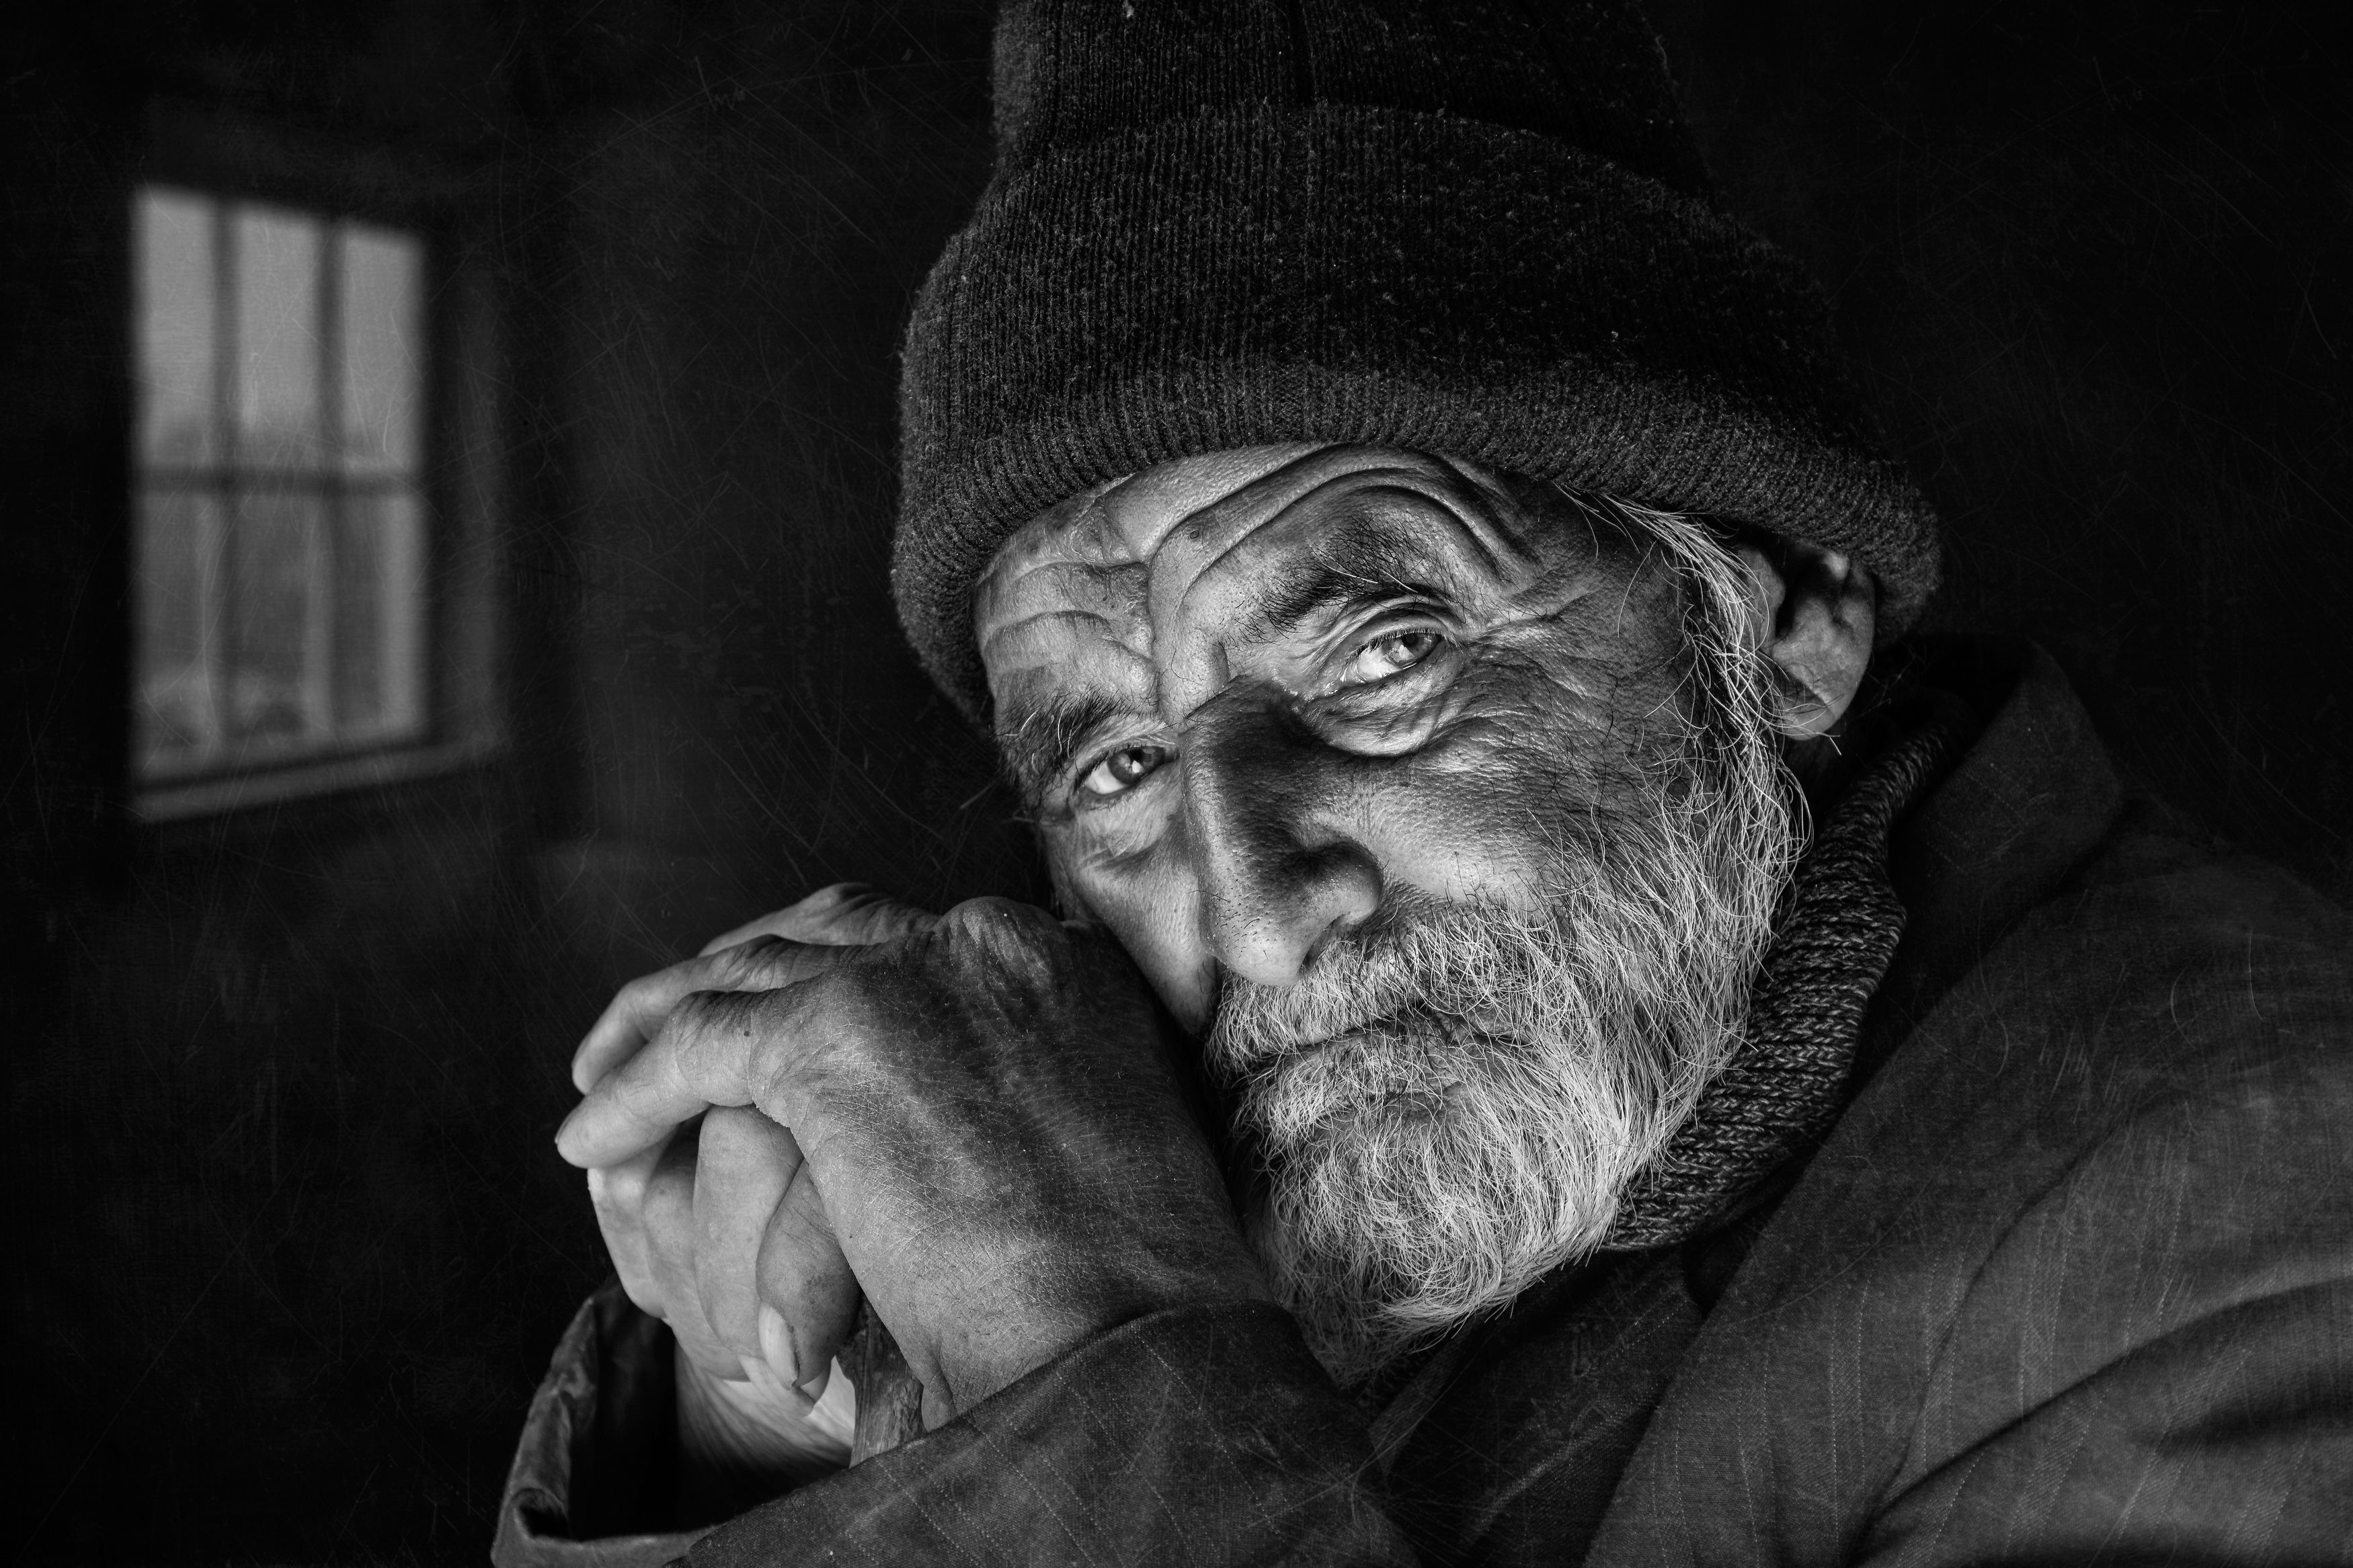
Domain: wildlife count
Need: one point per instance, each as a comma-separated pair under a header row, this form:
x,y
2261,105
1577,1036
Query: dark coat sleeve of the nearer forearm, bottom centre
x,y
1201,1435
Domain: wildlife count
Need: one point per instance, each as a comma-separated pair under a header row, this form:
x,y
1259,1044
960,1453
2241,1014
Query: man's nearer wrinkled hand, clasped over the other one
x,y
989,1130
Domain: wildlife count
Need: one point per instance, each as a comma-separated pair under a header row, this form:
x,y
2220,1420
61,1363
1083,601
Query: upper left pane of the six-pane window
x,y
173,239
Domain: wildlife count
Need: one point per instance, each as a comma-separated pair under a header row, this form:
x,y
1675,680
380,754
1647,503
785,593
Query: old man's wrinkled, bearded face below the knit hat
x,y
1415,796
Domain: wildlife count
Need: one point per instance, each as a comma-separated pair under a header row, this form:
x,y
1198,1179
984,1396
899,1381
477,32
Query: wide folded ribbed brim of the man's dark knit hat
x,y
1342,274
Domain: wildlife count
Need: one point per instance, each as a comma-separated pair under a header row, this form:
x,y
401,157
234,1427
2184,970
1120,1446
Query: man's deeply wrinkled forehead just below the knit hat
x,y
1192,551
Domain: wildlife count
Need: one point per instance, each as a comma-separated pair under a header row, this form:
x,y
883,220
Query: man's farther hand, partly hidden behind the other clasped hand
x,y
709,1228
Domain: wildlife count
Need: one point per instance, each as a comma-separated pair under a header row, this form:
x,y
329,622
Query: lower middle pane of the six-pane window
x,y
279,622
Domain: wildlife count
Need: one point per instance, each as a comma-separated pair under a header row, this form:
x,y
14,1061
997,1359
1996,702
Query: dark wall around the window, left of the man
x,y
291,1245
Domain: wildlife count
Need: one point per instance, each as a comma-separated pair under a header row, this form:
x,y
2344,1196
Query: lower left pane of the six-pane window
x,y
175,568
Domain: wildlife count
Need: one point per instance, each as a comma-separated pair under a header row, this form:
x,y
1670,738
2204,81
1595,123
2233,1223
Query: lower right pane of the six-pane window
x,y
380,617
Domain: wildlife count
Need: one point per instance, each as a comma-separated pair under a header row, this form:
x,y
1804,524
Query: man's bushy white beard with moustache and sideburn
x,y
1451,1104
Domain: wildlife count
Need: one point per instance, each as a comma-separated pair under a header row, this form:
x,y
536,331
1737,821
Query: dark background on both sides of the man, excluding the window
x,y
288,1245
